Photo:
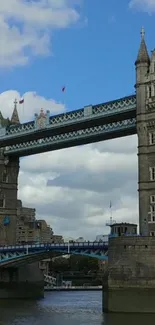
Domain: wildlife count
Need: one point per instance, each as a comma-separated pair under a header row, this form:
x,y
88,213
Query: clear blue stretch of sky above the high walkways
x,y
93,58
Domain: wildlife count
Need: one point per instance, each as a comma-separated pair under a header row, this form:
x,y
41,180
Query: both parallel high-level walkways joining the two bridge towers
x,y
89,124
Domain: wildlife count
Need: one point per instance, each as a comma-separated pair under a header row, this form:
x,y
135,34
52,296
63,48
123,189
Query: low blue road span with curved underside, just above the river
x,y
10,255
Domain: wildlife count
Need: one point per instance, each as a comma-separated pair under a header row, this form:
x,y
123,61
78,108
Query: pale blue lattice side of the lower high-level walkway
x,y
65,138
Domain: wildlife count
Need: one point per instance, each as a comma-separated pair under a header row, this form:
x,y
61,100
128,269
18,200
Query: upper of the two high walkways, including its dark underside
x,y
89,116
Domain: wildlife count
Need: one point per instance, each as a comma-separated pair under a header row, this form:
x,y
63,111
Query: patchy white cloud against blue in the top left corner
x,y
26,27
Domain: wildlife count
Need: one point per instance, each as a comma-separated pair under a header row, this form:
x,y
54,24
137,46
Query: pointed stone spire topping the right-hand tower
x,y
143,56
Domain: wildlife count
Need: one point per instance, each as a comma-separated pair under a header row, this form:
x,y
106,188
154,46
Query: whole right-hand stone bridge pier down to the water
x,y
130,284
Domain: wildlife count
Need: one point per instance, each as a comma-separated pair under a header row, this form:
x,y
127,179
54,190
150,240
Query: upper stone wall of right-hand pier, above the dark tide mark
x,y
131,262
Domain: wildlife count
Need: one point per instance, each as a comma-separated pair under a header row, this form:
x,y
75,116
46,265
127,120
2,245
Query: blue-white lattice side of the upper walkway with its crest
x,y
111,108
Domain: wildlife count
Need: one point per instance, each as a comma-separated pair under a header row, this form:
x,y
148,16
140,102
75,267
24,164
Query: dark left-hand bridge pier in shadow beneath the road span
x,y
26,282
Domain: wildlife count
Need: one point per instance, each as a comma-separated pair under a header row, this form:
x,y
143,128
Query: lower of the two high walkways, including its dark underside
x,y
74,138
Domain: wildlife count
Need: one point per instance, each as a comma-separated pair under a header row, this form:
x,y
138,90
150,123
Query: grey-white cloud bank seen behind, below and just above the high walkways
x,y
84,180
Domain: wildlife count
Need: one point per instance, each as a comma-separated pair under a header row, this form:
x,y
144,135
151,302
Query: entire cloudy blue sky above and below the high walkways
x,y
88,46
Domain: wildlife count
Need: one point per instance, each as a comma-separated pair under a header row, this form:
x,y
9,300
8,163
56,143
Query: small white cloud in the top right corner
x,y
143,5
